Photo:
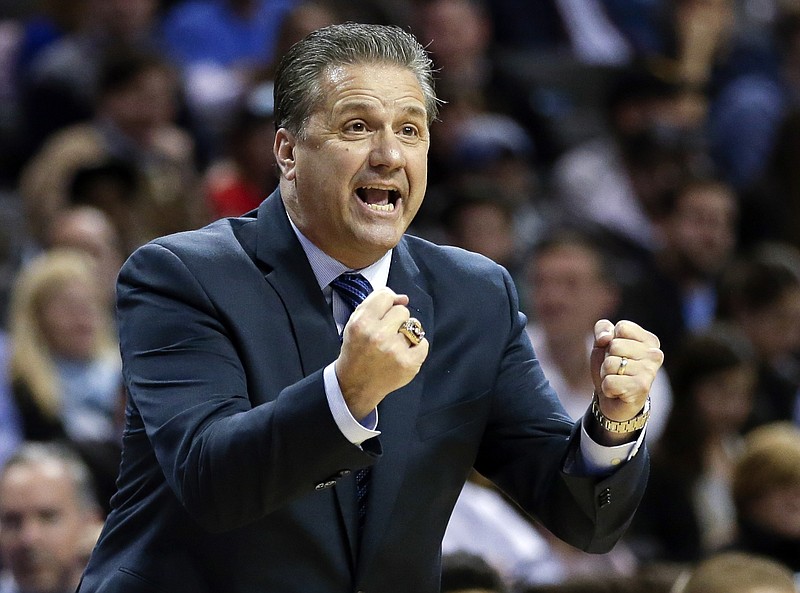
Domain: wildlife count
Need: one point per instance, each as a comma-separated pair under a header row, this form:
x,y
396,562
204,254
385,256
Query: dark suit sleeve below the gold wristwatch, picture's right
x,y
530,443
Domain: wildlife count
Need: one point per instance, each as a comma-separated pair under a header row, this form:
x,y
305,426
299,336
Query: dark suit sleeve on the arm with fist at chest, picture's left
x,y
227,461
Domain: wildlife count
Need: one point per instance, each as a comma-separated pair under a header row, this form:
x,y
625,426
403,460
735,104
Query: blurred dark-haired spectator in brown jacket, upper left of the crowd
x,y
135,124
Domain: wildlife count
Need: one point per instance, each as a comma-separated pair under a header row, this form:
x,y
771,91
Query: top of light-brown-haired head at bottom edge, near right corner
x,y
739,573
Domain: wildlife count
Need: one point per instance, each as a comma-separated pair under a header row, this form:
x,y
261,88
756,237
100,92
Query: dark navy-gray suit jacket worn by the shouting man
x,y
234,475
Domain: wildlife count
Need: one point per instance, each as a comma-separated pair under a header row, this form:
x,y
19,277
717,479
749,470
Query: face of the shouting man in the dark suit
x,y
354,181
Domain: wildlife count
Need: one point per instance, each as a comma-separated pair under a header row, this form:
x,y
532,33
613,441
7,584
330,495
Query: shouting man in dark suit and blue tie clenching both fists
x,y
249,415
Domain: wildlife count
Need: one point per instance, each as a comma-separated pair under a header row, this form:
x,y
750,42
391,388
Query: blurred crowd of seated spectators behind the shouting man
x,y
634,159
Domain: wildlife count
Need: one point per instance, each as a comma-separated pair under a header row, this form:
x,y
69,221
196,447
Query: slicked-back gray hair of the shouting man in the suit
x,y
298,77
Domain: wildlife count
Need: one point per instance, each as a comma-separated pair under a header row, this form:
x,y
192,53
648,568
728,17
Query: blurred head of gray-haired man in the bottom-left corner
x,y
49,519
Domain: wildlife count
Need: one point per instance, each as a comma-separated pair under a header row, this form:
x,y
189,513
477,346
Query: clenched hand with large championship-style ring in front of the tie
x,y
376,359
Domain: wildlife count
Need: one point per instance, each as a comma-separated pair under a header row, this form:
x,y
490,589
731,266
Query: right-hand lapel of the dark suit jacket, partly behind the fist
x,y
397,413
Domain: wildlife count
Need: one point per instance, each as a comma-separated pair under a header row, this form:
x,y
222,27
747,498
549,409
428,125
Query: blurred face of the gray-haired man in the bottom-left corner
x,y
41,527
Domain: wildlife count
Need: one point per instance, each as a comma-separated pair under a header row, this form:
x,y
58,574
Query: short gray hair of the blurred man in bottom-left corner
x,y
35,452
